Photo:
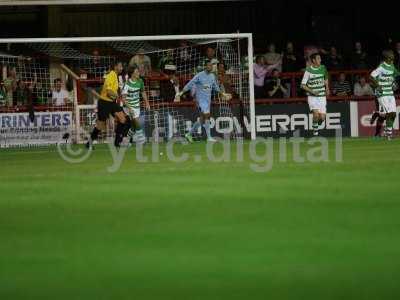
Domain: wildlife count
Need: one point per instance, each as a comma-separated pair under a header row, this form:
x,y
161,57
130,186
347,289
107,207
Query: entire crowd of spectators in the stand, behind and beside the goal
x,y
271,70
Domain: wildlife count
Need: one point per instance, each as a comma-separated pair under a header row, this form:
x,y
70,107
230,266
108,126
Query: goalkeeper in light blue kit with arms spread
x,y
204,83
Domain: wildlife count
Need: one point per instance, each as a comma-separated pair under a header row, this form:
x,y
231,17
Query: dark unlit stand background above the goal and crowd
x,y
326,23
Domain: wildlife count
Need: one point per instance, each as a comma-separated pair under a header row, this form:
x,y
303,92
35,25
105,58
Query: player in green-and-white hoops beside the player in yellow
x,y
132,93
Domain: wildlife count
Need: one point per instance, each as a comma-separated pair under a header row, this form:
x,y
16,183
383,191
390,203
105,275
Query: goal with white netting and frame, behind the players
x,y
50,87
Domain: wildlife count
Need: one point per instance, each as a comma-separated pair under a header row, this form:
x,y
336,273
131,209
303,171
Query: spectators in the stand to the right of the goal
x,y
268,67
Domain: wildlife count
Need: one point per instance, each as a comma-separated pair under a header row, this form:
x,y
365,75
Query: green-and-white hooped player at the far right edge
x,y
383,79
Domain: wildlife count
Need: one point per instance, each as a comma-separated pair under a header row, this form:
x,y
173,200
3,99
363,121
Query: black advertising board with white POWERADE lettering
x,y
271,120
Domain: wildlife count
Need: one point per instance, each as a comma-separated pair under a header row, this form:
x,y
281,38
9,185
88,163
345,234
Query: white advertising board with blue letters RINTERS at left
x,y
17,129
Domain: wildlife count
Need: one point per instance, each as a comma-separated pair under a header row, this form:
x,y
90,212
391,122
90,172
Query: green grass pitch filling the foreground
x,y
328,230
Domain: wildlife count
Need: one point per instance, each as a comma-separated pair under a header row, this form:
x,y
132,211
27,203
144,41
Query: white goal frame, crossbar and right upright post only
x,y
248,36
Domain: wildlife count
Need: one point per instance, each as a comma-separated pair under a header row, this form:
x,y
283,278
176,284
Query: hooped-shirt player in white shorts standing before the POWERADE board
x,y
315,83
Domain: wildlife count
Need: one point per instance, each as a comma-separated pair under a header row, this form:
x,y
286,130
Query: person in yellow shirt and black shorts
x,y
107,105
